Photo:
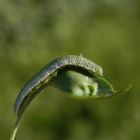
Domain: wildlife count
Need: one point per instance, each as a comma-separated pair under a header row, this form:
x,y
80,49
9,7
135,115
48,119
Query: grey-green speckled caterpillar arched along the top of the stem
x,y
41,79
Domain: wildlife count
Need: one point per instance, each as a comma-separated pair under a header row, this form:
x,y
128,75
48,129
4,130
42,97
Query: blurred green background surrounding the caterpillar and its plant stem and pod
x,y
33,32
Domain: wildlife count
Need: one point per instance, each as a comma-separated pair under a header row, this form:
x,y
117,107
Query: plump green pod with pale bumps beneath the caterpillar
x,y
82,86
